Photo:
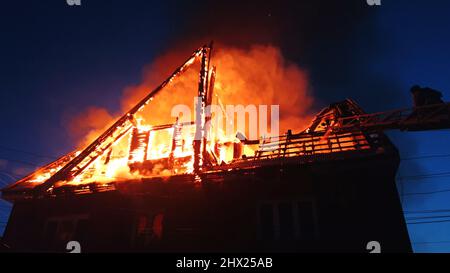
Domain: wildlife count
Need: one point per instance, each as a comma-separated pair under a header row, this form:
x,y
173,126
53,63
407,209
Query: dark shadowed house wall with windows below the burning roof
x,y
329,206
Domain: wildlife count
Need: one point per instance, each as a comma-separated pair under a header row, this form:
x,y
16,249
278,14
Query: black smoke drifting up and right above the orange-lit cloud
x,y
338,42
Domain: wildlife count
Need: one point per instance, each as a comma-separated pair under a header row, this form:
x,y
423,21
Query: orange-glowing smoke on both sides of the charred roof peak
x,y
259,75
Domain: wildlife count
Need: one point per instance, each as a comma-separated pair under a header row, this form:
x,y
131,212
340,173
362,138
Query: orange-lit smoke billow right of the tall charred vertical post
x,y
262,76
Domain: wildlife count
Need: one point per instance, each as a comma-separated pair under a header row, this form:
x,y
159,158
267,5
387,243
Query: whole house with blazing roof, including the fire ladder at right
x,y
186,187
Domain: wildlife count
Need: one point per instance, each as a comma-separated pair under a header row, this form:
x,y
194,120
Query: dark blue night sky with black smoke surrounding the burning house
x,y
57,60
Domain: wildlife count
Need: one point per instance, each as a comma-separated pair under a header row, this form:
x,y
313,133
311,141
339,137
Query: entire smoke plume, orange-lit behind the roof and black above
x,y
263,51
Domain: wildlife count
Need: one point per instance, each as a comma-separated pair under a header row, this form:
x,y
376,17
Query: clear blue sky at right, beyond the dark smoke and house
x,y
416,51
